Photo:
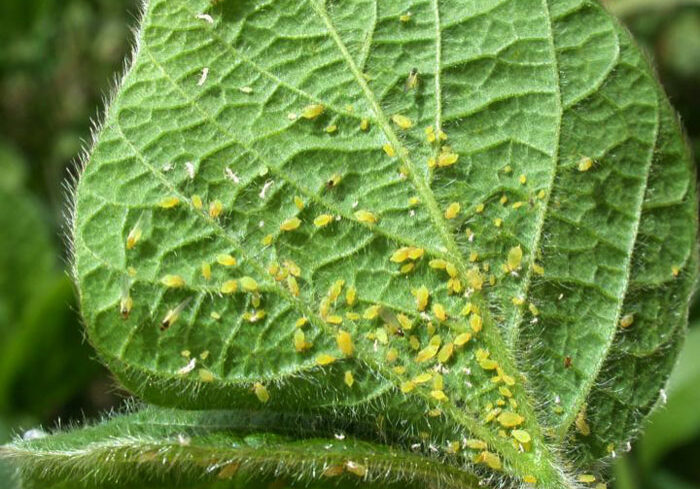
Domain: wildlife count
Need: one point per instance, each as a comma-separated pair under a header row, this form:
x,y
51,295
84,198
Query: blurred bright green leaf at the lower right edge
x,y
679,421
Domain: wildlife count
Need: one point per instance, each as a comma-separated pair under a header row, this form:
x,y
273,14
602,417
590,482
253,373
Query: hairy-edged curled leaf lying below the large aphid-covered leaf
x,y
215,450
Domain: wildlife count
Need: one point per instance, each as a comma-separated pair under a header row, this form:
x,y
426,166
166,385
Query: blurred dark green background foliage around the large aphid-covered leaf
x,y
58,60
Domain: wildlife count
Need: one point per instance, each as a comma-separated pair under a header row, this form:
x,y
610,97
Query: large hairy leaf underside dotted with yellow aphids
x,y
568,152
